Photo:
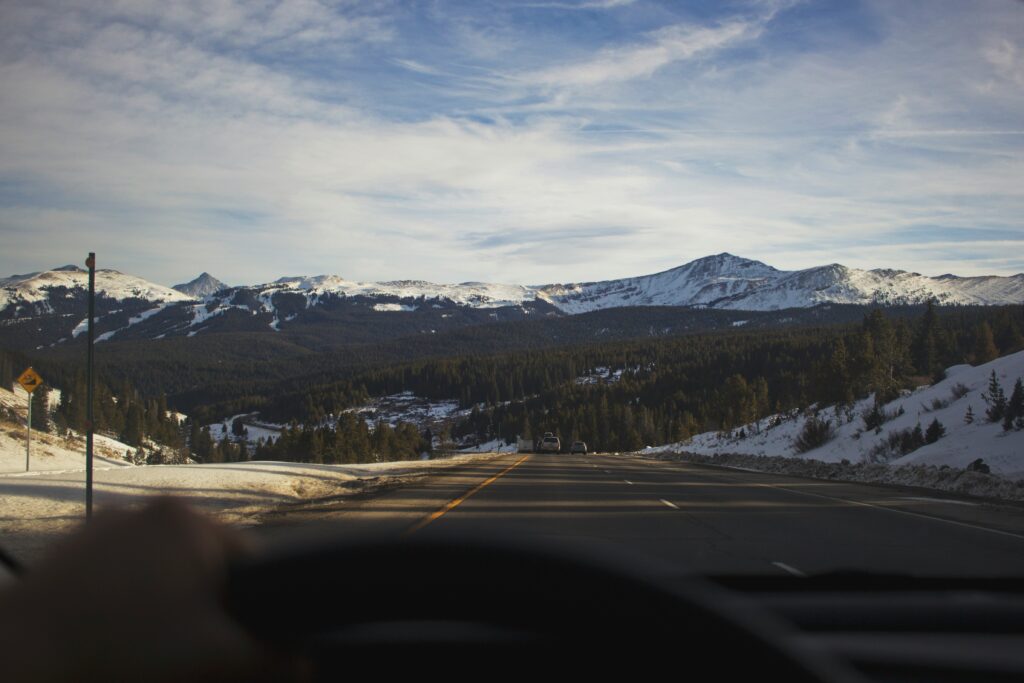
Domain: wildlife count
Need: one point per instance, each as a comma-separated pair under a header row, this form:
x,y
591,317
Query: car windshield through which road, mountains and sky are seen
x,y
718,288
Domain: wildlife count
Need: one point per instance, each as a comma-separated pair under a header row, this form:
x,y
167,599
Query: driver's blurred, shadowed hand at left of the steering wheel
x,y
134,596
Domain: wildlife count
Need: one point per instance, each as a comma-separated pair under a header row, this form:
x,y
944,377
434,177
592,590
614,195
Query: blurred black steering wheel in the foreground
x,y
412,605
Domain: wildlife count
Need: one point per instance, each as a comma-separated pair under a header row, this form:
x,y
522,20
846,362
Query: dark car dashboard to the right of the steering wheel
x,y
900,629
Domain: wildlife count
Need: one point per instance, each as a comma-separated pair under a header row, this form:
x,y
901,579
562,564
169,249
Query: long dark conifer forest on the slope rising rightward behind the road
x,y
672,389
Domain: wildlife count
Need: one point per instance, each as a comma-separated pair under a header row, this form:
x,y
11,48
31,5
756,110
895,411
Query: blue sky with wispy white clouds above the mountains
x,y
532,143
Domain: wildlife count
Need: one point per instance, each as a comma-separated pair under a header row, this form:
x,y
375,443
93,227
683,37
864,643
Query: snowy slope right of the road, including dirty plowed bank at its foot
x,y
948,402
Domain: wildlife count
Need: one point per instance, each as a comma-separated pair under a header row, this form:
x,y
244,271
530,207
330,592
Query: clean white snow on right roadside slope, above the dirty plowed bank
x,y
1002,451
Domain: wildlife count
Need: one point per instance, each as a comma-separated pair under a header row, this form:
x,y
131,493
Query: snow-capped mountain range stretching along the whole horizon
x,y
132,308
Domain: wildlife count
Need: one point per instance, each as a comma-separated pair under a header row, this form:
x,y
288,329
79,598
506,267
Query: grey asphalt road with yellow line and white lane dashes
x,y
680,518
